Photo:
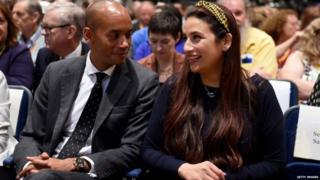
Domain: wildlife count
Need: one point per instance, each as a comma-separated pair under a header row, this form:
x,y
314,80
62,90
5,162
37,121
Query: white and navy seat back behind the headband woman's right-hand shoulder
x,y
286,93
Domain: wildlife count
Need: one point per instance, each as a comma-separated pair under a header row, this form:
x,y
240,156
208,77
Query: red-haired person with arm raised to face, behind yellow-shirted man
x,y
283,27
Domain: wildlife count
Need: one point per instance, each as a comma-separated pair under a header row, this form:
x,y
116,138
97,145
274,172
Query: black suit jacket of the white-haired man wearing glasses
x,y
45,57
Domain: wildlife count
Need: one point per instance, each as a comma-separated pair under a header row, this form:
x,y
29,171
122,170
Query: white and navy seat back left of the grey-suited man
x,y
21,99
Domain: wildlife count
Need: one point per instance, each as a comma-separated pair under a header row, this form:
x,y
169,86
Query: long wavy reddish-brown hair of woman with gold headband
x,y
185,119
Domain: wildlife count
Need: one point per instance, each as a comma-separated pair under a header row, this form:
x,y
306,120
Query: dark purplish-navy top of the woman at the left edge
x,y
16,64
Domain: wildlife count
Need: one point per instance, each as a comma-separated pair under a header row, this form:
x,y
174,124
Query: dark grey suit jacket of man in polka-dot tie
x,y
121,119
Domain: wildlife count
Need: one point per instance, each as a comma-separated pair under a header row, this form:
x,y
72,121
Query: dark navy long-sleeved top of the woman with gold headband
x,y
263,159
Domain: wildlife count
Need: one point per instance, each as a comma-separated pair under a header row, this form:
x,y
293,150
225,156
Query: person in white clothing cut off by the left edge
x,y
7,141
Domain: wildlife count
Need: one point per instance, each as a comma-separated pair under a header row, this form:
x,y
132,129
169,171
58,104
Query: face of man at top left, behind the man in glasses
x,y
25,20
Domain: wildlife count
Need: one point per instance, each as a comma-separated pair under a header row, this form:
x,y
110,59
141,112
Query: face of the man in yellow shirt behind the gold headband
x,y
238,9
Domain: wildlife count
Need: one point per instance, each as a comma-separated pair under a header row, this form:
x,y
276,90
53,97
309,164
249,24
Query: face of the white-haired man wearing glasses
x,y
54,31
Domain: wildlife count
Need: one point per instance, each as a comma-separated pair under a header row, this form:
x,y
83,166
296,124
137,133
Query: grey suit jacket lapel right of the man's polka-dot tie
x,y
118,84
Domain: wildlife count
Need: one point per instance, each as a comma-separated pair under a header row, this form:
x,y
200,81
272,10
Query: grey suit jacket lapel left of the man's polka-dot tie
x,y
70,81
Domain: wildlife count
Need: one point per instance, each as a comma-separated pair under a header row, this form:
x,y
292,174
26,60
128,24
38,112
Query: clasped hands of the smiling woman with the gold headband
x,y
201,171
